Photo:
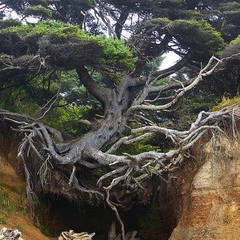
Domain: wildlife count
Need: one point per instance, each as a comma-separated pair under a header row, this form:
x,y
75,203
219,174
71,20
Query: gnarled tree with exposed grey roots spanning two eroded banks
x,y
131,95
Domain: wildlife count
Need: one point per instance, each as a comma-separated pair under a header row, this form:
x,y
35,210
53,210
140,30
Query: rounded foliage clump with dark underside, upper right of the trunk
x,y
195,38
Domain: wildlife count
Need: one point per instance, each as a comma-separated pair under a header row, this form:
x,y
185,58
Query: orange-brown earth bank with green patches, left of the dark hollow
x,y
13,204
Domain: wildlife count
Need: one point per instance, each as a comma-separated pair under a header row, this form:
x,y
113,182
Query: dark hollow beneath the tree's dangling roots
x,y
154,221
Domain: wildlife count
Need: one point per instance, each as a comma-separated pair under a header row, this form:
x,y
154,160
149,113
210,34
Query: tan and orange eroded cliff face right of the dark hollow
x,y
211,203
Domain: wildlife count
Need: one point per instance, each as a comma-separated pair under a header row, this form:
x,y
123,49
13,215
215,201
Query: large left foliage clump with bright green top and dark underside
x,y
68,45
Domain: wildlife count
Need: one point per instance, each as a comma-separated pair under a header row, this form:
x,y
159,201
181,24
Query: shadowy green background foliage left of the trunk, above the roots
x,y
74,103
